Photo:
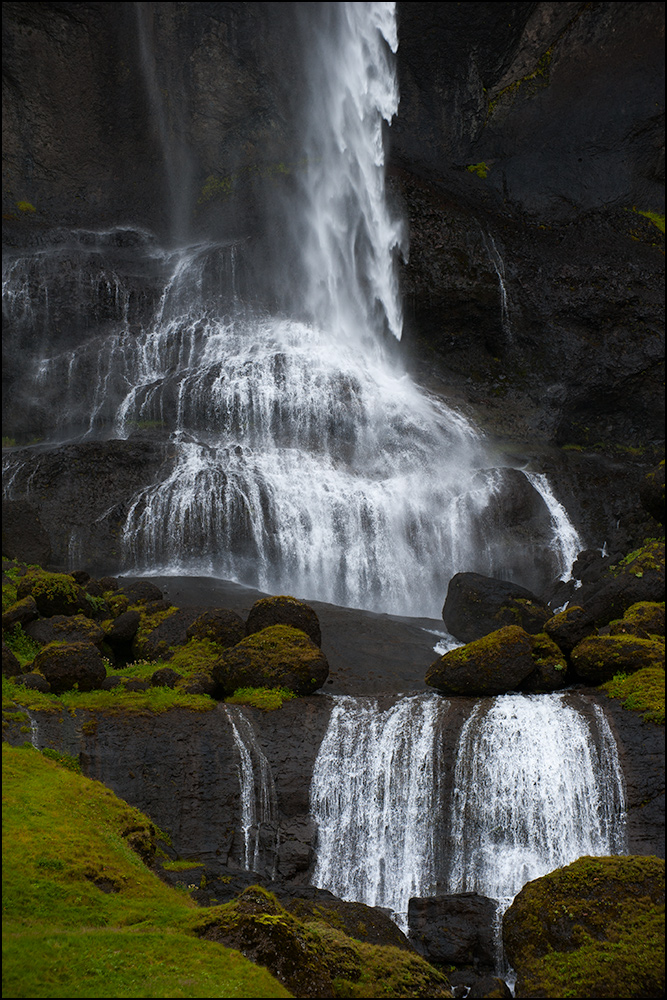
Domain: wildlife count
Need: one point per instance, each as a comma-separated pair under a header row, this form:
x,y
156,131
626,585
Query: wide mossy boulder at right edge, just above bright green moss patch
x,y
597,658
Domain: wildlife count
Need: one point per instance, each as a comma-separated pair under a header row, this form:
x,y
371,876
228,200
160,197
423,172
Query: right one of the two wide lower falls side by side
x,y
537,784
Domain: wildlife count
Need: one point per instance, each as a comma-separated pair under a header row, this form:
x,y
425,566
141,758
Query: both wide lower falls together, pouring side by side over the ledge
x,y
535,783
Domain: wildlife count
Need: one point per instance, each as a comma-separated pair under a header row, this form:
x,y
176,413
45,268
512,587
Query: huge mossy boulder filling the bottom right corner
x,y
592,929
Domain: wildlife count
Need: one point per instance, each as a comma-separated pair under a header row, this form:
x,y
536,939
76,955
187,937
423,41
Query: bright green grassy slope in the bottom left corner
x,y
82,914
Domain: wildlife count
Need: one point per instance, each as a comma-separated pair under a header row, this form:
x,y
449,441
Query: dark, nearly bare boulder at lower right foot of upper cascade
x,y
476,605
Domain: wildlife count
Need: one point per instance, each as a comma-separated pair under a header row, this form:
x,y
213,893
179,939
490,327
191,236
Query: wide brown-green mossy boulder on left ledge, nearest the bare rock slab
x,y
277,657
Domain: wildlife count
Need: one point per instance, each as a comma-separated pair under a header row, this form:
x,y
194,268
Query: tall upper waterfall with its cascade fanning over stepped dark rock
x,y
301,457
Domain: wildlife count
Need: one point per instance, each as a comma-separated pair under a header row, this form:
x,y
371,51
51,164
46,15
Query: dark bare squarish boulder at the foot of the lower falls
x,y
456,929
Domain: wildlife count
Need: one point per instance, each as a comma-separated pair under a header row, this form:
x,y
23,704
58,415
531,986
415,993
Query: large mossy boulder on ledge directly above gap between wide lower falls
x,y
495,664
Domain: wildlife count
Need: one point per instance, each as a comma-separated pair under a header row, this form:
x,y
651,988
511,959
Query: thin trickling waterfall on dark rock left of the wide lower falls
x,y
259,807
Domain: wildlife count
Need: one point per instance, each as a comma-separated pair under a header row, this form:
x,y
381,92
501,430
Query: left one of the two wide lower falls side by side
x,y
374,798
